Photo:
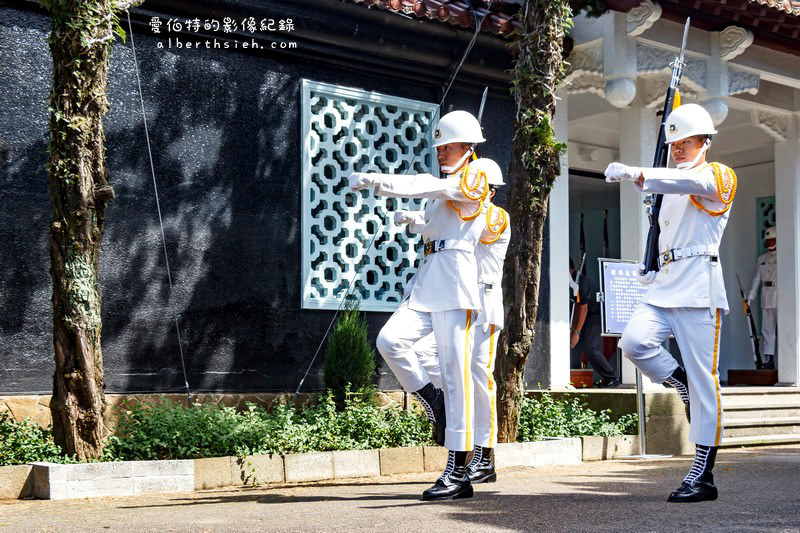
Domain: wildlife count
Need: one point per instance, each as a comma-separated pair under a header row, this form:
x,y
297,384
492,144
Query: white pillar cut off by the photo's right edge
x,y
787,200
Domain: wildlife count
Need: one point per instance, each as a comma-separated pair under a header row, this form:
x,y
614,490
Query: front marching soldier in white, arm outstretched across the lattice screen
x,y
444,294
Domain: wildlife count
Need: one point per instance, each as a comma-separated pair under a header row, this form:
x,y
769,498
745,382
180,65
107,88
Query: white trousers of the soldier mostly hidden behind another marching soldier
x,y
483,358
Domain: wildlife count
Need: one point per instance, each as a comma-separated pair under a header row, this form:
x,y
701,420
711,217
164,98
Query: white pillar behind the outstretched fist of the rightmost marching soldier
x,y
638,132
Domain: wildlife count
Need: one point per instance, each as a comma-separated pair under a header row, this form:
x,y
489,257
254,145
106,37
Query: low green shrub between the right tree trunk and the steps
x,y
548,416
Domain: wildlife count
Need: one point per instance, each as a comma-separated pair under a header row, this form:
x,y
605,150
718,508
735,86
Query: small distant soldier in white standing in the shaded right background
x,y
766,279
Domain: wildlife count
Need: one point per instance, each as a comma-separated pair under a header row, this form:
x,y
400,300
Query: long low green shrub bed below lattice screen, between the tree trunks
x,y
166,430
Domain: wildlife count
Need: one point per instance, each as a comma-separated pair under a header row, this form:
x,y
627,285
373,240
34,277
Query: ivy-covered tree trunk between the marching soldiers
x,y
535,164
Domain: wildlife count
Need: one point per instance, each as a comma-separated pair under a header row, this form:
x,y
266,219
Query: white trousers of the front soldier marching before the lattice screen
x,y
453,332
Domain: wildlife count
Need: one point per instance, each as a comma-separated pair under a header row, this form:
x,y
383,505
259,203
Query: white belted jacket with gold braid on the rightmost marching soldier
x,y
694,213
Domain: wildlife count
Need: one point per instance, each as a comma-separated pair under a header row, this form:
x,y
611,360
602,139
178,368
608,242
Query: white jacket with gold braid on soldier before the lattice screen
x,y
445,280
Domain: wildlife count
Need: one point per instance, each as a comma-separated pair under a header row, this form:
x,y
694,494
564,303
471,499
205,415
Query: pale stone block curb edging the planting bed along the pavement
x,y
127,478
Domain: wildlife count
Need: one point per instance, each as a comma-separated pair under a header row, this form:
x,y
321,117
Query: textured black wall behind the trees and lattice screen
x,y
224,128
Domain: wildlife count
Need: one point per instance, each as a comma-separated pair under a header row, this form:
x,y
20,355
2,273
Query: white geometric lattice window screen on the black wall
x,y
348,130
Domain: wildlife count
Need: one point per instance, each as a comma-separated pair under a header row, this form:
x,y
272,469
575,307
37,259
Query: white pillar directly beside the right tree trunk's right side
x,y
558,267
